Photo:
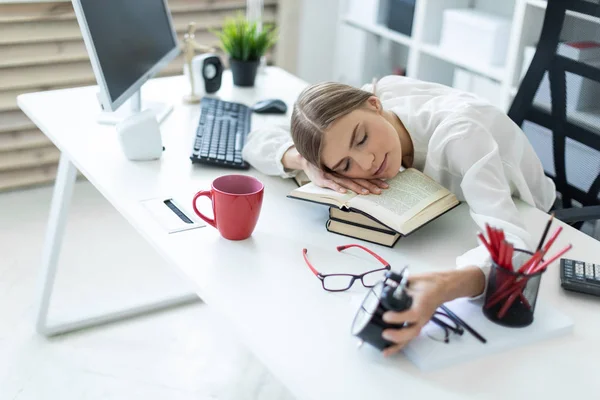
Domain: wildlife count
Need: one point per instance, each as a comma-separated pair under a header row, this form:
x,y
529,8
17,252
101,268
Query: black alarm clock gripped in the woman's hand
x,y
387,295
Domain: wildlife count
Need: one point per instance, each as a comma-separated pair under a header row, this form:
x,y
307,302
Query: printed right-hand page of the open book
x,y
409,193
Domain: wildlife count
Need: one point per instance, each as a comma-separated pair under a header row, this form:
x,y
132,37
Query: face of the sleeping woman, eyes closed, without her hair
x,y
363,144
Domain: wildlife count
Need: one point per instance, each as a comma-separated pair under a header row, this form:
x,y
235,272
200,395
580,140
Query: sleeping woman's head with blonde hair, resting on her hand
x,y
343,129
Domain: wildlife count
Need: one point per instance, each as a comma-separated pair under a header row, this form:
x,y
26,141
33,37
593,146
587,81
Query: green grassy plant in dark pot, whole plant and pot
x,y
245,46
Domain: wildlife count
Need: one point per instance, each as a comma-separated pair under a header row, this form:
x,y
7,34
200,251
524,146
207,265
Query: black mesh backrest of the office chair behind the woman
x,y
559,92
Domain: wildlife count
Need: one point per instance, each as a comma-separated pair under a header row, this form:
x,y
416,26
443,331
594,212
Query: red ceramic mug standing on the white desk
x,y
236,203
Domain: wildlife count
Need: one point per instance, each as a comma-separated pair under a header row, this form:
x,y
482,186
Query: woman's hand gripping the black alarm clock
x,y
426,291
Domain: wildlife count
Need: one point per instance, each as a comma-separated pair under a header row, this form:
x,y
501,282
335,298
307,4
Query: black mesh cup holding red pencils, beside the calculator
x,y
511,296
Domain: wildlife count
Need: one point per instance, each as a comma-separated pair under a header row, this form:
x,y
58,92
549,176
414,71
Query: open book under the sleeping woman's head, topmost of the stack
x,y
412,200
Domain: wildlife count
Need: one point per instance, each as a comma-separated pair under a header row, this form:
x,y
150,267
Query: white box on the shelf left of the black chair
x,y
475,35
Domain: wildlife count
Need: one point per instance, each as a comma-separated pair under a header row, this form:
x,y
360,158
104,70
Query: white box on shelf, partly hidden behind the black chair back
x,y
582,93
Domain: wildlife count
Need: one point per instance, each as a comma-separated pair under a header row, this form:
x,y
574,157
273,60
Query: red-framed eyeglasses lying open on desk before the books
x,y
341,282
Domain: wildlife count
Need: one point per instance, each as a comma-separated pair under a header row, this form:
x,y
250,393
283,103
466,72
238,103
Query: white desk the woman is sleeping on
x,y
264,288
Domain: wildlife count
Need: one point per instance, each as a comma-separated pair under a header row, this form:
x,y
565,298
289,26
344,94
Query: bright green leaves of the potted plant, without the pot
x,y
242,41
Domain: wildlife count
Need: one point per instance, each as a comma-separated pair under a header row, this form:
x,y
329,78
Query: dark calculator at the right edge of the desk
x,y
580,276
